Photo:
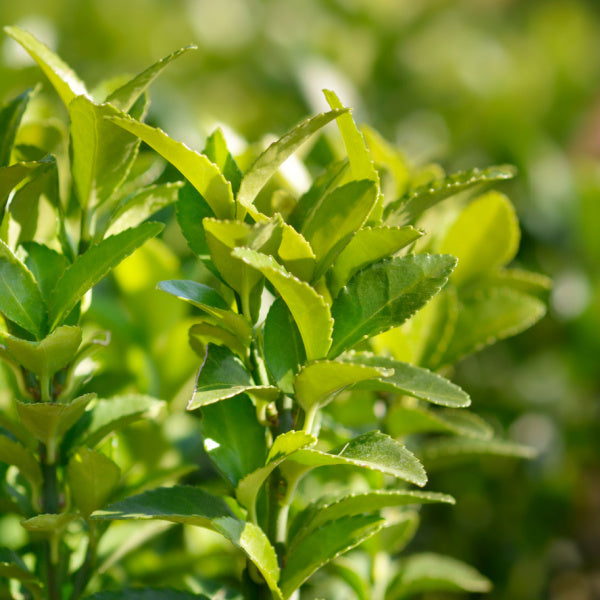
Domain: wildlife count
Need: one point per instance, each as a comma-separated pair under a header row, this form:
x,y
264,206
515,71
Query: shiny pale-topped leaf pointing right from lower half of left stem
x,y
106,416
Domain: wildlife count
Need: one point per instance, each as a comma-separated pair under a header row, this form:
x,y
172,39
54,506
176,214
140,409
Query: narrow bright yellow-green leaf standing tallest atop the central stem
x,y
361,163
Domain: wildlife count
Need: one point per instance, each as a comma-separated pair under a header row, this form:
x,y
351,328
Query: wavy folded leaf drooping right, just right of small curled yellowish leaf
x,y
373,450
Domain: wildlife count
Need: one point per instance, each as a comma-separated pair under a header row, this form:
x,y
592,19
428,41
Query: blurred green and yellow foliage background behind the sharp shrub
x,y
467,84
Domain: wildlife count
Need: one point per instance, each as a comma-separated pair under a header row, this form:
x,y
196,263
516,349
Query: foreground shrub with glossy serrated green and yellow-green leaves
x,y
323,325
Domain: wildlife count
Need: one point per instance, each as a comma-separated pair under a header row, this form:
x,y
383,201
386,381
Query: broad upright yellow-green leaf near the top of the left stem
x,y
102,153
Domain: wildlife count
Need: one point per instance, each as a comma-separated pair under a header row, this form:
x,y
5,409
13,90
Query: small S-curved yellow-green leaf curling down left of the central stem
x,y
283,446
